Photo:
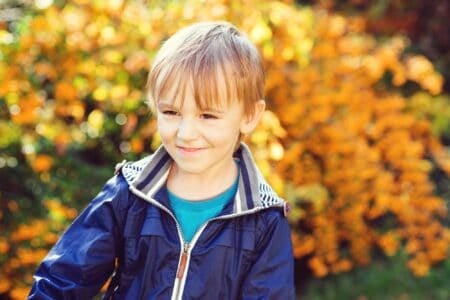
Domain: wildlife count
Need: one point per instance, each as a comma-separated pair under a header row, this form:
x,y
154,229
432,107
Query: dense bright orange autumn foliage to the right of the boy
x,y
358,142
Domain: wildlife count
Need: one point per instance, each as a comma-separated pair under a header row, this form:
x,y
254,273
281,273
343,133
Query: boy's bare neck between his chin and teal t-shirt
x,y
199,187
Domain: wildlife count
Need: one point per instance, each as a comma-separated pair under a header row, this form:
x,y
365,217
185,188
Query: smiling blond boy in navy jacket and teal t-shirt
x,y
195,220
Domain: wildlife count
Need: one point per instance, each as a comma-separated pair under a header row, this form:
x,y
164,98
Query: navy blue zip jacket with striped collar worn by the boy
x,y
129,233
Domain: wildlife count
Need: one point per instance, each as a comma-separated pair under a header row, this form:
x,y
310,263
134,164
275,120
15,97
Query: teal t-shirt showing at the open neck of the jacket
x,y
192,214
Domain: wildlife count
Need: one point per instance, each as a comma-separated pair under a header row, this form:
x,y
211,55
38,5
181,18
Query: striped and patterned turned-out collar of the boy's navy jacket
x,y
145,177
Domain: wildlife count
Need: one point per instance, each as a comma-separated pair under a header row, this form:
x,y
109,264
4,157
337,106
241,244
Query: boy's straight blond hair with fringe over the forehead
x,y
206,57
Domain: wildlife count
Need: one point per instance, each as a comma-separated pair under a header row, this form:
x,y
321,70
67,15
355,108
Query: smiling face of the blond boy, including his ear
x,y
201,142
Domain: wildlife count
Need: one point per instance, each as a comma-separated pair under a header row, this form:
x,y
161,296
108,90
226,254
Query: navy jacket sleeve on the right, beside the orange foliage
x,y
272,274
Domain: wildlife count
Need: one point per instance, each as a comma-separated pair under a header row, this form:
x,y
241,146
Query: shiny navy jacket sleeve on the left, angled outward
x,y
84,256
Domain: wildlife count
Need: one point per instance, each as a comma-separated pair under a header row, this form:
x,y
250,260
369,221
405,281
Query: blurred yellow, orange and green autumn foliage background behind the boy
x,y
356,136
